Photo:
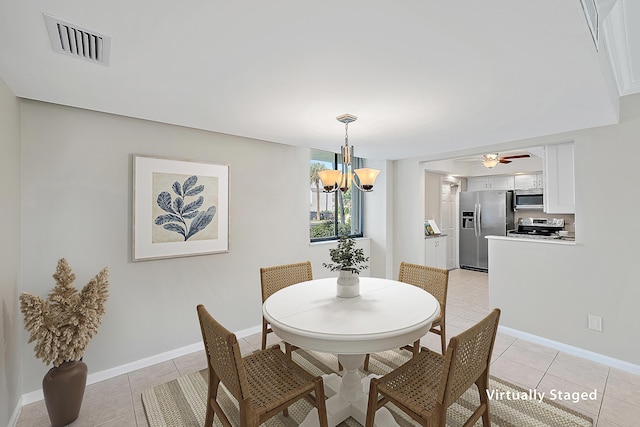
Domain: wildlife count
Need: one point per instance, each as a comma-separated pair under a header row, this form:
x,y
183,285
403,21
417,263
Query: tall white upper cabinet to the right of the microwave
x,y
559,179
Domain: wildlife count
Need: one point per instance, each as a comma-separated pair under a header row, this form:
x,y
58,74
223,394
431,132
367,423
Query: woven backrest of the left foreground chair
x,y
223,354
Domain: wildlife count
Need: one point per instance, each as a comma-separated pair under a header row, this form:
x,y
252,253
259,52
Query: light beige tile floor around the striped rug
x,y
117,401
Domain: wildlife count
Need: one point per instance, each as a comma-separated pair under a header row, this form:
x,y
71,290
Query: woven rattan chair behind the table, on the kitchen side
x,y
435,281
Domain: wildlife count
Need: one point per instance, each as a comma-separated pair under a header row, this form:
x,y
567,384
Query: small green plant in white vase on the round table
x,y
349,261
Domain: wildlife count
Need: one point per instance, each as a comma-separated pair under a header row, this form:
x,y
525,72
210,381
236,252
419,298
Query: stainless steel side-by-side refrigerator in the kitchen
x,y
482,213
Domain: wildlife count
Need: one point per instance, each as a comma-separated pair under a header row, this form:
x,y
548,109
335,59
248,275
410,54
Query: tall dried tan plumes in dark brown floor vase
x,y
62,326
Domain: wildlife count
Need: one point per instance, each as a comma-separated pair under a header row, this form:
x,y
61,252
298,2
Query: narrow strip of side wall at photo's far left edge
x,y
9,253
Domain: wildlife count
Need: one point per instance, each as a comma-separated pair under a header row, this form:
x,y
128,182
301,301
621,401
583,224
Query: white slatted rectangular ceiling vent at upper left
x,y
75,41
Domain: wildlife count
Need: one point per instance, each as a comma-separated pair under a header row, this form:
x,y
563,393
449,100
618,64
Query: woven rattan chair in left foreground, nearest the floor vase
x,y
264,383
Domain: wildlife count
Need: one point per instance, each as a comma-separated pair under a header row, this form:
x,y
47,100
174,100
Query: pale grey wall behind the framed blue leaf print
x,y
76,203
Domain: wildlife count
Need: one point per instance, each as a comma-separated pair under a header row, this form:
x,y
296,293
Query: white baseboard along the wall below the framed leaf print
x,y
37,395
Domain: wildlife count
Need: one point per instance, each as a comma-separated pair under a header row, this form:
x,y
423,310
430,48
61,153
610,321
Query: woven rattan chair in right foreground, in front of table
x,y
426,385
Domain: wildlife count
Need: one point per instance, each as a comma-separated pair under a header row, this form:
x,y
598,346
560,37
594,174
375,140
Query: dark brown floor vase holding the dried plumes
x,y
63,389
